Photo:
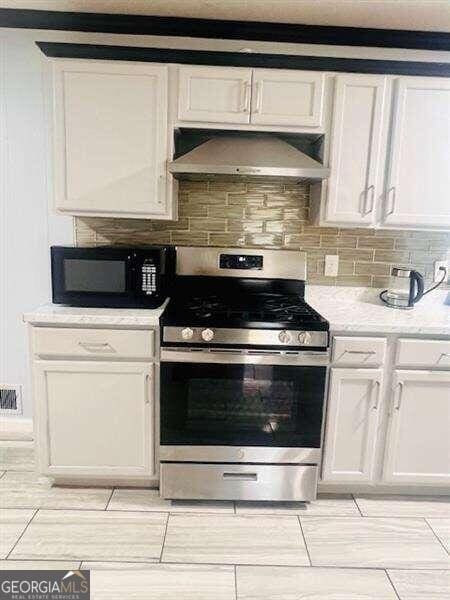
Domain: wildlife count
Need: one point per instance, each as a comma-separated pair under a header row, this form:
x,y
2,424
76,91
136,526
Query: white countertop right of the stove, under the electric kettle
x,y
360,309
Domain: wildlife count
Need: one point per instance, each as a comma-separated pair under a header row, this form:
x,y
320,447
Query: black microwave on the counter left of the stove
x,y
112,277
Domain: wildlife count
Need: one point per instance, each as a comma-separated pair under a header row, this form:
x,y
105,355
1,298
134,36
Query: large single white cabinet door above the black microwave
x,y
111,139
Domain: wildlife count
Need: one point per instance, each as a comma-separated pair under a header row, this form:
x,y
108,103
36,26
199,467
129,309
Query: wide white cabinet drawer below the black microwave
x,y
98,343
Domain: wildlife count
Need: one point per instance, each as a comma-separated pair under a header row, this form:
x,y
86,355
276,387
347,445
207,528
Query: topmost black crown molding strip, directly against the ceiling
x,y
220,29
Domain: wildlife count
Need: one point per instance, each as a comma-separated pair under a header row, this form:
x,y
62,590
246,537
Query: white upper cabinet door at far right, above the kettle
x,y
417,192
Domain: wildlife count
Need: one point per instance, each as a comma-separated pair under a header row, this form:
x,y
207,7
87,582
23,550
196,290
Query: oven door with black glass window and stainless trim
x,y
241,406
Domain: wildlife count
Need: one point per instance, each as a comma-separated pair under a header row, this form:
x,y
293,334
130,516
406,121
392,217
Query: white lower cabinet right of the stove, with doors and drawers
x,y
393,435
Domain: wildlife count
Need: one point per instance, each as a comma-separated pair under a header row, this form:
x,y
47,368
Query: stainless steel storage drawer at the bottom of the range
x,y
238,482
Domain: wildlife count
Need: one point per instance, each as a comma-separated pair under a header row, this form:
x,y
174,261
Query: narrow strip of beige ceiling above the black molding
x,y
425,15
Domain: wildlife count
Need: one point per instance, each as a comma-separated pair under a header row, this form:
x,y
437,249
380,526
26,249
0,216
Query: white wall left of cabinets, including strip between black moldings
x,y
27,226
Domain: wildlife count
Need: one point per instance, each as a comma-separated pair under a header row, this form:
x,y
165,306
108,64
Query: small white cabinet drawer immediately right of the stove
x,y
358,350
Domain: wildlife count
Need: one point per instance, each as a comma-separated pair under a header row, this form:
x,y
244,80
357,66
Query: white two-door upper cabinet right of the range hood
x,y
389,159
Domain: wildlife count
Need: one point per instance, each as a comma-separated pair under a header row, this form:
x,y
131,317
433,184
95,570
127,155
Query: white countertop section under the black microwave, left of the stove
x,y
54,314
